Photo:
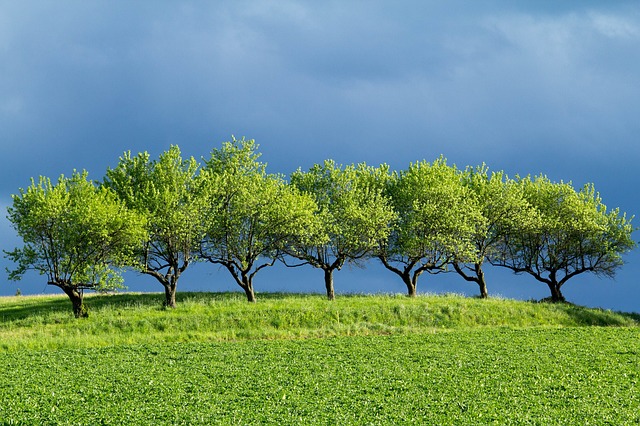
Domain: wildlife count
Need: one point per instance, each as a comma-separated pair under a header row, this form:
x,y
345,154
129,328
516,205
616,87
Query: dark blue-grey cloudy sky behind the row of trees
x,y
527,87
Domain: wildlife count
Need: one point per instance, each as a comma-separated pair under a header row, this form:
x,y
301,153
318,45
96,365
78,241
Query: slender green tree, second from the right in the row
x,y
502,208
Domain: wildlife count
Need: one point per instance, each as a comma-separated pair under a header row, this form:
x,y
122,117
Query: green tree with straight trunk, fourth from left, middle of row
x,y
353,216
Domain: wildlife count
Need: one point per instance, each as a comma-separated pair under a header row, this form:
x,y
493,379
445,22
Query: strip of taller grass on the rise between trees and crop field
x,y
46,322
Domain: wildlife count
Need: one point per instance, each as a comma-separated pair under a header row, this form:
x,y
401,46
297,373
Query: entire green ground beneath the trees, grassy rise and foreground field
x,y
298,359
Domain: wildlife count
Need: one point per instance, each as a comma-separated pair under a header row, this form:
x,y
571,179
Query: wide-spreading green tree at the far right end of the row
x,y
575,234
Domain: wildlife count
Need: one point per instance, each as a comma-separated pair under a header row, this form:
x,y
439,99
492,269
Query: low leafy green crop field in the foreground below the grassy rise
x,y
501,376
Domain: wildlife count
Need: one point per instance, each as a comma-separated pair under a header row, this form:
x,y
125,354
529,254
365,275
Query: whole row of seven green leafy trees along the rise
x,y
160,215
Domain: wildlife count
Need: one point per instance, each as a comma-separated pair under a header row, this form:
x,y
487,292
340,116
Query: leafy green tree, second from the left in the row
x,y
165,192
